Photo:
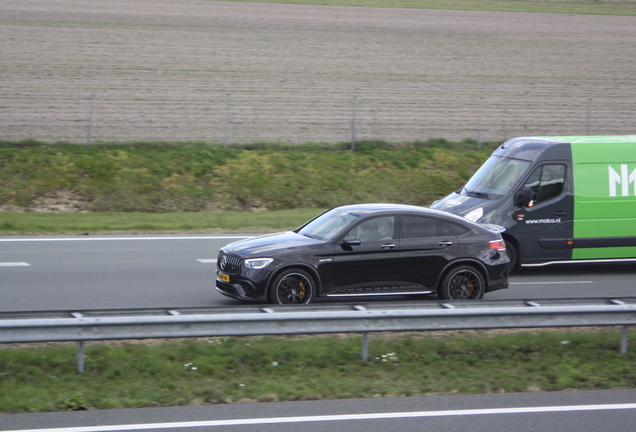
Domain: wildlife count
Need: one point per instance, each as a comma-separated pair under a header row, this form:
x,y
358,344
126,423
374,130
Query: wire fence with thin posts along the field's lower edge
x,y
239,118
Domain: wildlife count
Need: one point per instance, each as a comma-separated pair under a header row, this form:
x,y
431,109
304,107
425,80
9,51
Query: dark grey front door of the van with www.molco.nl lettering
x,y
544,228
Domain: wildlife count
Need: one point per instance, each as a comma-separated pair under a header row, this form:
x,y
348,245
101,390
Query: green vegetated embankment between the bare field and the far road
x,y
70,188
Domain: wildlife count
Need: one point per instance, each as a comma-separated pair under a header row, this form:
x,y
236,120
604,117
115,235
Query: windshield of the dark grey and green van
x,y
496,176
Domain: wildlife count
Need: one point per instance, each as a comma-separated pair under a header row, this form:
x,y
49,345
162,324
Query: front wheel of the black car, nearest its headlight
x,y
293,286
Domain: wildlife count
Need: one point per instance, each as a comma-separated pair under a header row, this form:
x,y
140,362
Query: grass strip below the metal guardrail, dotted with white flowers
x,y
263,369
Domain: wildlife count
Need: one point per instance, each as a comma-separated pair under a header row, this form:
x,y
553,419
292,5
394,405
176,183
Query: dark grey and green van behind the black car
x,y
560,198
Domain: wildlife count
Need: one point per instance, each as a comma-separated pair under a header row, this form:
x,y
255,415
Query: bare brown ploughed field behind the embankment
x,y
162,70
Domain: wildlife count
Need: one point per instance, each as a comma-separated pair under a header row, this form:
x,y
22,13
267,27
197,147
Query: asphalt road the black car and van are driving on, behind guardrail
x,y
113,272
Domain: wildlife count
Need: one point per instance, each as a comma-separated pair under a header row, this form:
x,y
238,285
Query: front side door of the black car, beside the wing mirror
x,y
369,266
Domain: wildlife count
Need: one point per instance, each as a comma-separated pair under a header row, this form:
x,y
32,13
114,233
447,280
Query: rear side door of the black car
x,y
427,244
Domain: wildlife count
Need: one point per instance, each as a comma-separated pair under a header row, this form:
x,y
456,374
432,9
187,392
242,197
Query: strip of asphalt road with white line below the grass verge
x,y
576,411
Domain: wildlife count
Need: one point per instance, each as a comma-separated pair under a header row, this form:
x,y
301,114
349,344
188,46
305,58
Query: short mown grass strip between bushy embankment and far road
x,y
12,223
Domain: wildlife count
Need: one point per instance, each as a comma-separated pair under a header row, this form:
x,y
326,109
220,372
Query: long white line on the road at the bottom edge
x,y
344,417
